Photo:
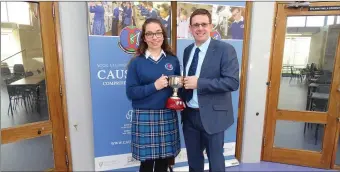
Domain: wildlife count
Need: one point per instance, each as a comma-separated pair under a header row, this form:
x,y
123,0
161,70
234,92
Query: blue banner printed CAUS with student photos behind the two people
x,y
114,30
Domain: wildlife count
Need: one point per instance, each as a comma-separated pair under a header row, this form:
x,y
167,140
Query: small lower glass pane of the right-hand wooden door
x,y
302,135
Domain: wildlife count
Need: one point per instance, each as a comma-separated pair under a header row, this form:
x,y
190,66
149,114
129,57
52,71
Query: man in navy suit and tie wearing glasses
x,y
211,72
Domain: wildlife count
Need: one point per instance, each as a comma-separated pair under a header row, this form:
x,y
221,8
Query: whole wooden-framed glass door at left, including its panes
x,y
32,129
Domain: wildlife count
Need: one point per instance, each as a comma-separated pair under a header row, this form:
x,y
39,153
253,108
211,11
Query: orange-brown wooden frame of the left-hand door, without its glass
x,y
57,125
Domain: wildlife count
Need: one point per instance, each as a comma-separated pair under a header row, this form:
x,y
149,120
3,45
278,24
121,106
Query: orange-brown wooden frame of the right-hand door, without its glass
x,y
284,155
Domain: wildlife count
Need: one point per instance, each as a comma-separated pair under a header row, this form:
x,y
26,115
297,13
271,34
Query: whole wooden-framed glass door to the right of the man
x,y
303,98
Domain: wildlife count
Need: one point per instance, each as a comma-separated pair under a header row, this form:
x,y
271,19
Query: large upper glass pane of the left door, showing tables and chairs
x,y
23,92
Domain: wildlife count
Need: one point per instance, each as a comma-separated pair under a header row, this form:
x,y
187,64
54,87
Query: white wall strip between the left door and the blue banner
x,y
74,35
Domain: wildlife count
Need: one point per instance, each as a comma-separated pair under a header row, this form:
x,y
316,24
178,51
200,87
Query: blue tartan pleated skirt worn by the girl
x,y
155,134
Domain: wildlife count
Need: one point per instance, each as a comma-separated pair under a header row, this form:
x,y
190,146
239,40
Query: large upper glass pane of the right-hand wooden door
x,y
307,66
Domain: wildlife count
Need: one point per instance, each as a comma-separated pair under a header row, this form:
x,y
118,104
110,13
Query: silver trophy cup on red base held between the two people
x,y
175,102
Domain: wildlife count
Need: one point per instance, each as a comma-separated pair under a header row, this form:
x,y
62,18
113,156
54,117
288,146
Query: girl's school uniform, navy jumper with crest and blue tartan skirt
x,y
155,130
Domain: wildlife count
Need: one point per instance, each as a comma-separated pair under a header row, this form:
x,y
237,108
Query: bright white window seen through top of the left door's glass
x,y
18,12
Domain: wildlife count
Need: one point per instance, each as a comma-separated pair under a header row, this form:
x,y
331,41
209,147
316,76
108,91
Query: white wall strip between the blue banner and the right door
x,y
258,67
